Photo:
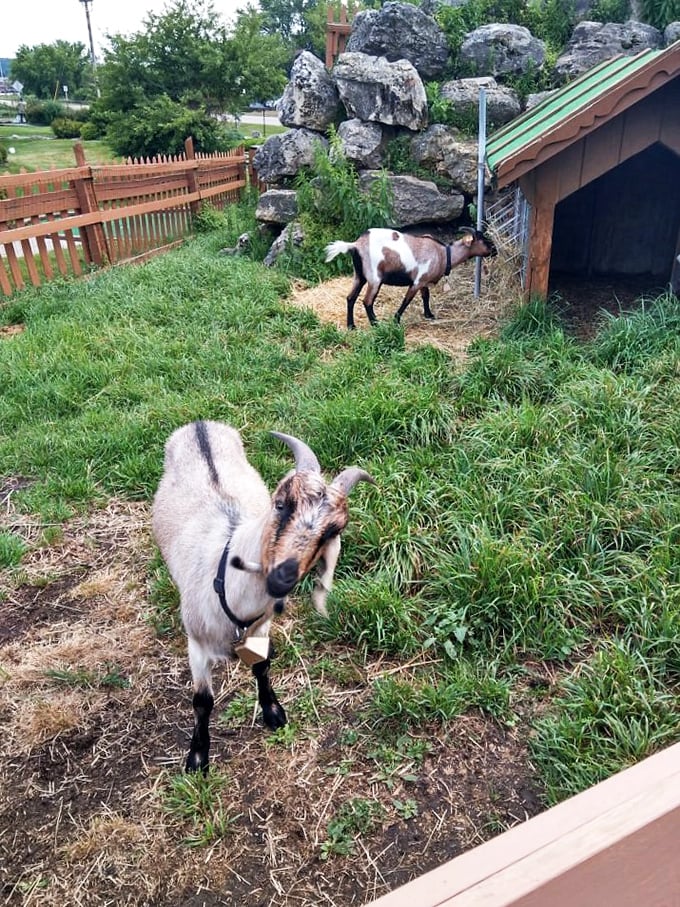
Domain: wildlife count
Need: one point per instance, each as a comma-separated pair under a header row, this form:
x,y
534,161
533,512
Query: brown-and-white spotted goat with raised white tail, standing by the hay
x,y
385,256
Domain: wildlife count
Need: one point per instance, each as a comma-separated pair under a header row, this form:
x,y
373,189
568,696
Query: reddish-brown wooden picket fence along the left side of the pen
x,y
69,221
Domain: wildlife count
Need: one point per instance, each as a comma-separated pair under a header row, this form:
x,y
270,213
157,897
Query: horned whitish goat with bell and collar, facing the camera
x,y
235,552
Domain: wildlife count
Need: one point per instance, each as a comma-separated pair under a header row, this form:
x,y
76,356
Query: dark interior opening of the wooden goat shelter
x,y
625,224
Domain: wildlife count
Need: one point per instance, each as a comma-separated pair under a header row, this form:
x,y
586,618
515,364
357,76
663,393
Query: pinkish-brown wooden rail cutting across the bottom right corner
x,y
615,844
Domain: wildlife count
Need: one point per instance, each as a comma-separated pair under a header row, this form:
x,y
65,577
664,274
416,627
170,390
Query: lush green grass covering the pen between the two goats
x,y
526,507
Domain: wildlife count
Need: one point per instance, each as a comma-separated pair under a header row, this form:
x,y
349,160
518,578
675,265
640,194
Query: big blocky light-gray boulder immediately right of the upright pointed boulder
x,y
376,90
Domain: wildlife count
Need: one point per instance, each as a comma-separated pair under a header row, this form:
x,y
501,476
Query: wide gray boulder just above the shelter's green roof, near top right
x,y
594,42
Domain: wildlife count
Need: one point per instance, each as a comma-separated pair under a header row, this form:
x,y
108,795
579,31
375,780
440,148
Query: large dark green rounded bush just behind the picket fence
x,y
161,127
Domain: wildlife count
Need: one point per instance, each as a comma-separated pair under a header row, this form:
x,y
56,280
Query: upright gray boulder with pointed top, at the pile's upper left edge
x,y
310,98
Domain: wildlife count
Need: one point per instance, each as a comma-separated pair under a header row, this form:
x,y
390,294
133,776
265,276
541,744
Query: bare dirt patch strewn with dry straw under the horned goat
x,y
96,715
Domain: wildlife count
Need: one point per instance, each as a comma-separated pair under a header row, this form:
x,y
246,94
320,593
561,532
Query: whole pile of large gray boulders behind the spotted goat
x,y
376,92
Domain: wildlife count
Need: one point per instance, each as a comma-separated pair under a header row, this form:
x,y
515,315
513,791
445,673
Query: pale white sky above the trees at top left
x,y
34,22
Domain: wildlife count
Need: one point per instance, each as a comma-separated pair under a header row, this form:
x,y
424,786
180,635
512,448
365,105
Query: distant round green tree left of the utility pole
x,y
46,68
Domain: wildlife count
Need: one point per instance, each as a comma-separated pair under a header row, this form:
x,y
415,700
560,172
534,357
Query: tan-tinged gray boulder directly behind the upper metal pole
x,y
441,150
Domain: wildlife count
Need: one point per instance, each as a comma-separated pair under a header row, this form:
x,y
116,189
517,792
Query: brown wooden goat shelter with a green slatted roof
x,y
598,163
